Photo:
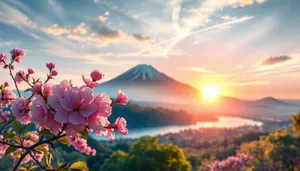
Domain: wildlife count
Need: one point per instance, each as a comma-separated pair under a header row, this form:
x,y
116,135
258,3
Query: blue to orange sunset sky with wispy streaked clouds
x,y
250,48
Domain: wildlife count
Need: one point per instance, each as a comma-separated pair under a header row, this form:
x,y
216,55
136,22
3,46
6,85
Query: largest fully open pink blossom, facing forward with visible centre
x,y
73,105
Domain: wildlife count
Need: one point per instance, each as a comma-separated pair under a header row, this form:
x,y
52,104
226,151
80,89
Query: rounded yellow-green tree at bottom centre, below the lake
x,y
148,155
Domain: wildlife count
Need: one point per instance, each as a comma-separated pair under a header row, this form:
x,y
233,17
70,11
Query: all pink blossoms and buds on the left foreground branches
x,y
63,109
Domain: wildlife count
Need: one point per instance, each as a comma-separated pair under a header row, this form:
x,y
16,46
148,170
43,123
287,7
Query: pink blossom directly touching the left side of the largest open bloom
x,y
42,117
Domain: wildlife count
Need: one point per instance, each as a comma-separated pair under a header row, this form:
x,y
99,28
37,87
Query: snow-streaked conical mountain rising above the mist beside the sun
x,y
144,82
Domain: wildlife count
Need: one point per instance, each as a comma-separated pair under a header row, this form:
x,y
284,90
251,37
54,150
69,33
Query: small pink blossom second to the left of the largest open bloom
x,y
20,109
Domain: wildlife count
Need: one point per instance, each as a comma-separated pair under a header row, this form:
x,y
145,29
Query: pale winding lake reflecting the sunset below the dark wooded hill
x,y
224,122
